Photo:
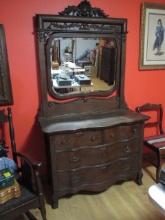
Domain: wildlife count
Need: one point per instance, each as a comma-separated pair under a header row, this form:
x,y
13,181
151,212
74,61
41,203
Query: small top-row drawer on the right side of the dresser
x,y
120,132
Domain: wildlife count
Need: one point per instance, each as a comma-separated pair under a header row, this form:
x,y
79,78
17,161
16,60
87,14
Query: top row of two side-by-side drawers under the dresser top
x,y
91,138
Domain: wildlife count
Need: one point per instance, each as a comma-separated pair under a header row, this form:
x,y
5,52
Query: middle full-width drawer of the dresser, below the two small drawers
x,y
95,155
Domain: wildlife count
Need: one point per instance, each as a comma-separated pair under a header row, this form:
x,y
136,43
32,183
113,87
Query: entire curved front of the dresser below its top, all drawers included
x,y
94,159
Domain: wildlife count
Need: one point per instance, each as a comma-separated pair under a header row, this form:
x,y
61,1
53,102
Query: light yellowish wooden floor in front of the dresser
x,y
126,201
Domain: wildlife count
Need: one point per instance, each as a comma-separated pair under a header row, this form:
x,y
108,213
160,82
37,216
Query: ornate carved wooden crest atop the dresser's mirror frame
x,y
84,9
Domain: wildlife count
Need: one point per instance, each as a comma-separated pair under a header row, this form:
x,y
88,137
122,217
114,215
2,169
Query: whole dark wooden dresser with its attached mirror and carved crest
x,y
93,140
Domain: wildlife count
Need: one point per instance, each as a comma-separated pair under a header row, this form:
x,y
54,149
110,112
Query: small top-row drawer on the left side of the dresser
x,y
77,139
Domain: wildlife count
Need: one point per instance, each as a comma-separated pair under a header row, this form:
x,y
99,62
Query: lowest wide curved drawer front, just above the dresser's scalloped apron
x,y
87,177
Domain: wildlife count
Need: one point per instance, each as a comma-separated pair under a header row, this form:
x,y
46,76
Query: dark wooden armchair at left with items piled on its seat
x,y
27,175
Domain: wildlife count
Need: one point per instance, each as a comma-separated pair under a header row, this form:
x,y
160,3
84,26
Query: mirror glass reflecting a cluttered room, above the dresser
x,y
82,64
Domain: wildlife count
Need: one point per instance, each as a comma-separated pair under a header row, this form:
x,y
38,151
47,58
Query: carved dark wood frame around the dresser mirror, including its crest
x,y
78,20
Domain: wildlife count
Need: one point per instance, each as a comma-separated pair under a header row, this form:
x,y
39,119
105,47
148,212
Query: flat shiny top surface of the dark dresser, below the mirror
x,y
51,125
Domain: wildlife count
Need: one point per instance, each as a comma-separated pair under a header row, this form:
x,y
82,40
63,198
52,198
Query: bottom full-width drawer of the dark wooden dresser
x,y
85,177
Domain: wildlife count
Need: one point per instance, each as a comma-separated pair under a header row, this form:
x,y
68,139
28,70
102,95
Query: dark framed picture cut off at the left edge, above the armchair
x,y
6,97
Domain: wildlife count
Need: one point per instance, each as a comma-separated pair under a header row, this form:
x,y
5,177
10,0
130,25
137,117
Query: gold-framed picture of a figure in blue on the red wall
x,y
152,36
